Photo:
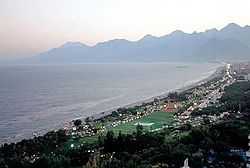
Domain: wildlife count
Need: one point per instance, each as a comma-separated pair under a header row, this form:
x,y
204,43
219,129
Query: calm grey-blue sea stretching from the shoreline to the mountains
x,y
43,97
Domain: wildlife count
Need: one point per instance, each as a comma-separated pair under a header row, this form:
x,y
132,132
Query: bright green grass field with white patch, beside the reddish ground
x,y
153,121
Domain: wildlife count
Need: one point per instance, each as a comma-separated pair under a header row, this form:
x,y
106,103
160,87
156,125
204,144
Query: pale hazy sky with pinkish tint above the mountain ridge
x,y
32,26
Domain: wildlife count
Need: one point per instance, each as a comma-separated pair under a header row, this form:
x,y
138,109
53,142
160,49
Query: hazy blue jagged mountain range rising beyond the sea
x,y
231,43
